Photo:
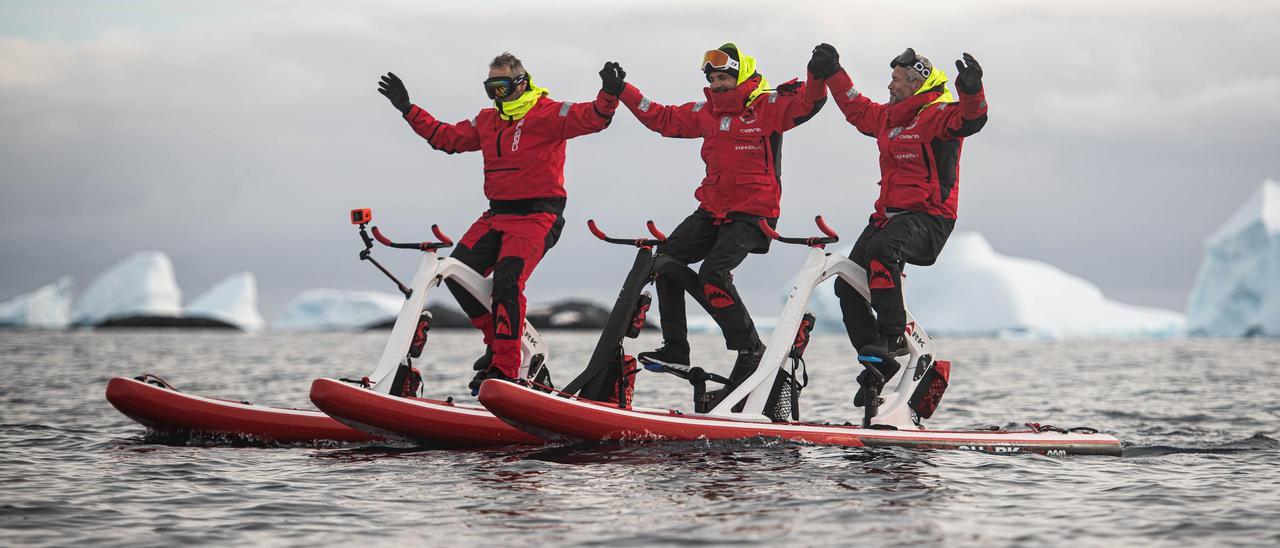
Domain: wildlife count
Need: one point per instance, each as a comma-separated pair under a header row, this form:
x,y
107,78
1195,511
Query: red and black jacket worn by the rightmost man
x,y
920,148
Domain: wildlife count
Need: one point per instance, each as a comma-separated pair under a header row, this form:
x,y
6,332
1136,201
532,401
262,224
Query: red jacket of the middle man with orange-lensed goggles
x,y
742,145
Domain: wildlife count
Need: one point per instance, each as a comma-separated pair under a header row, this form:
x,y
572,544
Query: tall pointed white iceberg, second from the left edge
x,y
141,285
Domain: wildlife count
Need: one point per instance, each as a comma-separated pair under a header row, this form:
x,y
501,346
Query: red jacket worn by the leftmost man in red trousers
x,y
523,159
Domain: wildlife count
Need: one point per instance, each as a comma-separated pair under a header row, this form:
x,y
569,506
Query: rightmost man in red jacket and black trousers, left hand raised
x,y
920,134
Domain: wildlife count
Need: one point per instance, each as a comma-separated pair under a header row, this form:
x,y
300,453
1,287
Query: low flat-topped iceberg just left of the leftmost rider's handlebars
x,y
339,310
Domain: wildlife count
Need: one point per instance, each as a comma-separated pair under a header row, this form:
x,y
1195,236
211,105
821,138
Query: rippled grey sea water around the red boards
x,y
1199,418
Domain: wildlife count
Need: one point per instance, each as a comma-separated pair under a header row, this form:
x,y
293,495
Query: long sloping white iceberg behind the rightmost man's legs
x,y
975,291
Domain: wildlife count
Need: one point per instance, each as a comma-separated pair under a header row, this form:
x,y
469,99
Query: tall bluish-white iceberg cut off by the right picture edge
x,y
1237,293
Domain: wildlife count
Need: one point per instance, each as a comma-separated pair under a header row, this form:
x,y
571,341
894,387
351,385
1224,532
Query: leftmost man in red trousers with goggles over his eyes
x,y
523,141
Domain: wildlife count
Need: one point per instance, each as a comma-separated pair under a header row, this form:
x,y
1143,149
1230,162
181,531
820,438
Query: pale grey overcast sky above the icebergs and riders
x,y
237,136
